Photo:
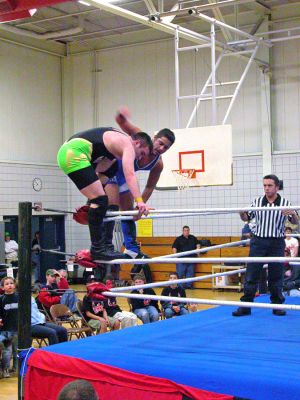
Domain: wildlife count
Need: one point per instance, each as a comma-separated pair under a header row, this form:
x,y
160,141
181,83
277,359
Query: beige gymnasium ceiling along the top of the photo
x,y
87,27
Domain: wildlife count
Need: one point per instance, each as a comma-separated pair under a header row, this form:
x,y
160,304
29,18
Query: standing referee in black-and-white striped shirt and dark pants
x,y
267,241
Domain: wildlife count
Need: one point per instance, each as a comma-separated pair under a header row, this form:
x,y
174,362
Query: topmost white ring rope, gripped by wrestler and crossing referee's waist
x,y
205,210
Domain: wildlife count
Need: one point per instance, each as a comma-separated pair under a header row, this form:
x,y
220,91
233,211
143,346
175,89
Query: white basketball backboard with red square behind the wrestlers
x,y
207,150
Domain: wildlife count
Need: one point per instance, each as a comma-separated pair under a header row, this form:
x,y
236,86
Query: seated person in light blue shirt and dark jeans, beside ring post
x,y
45,330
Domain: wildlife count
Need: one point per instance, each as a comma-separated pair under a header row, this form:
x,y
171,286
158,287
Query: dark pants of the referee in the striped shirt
x,y
265,247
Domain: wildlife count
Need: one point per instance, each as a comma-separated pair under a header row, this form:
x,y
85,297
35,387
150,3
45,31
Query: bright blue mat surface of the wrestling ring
x,y
254,357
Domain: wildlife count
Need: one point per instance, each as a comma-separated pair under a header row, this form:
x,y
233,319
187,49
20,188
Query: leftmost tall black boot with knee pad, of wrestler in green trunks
x,y
95,219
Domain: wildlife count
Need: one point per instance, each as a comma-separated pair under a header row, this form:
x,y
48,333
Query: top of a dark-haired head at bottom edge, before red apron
x,y
78,390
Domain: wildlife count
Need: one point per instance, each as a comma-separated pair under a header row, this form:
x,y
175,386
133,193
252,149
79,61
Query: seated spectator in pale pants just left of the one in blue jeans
x,y
115,313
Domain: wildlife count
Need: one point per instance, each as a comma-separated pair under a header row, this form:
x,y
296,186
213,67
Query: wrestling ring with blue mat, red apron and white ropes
x,y
204,355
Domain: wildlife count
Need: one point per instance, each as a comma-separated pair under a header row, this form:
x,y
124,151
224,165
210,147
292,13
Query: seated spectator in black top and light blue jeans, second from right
x,y
145,310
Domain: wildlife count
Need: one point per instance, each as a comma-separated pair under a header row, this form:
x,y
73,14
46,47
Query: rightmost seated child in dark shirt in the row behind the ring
x,y
173,308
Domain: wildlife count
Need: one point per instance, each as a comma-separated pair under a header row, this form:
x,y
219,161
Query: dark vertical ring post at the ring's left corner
x,y
24,282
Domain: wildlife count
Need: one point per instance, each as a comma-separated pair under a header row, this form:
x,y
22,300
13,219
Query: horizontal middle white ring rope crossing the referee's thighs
x,y
194,260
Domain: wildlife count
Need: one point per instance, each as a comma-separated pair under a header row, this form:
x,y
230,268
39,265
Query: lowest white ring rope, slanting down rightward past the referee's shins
x,y
204,301
